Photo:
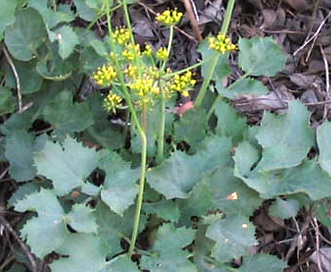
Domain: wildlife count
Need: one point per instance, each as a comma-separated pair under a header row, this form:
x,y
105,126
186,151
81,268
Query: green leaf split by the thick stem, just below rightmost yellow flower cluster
x,y
222,68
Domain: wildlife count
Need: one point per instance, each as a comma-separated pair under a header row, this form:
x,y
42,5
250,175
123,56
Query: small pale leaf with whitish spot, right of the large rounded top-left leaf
x,y
67,40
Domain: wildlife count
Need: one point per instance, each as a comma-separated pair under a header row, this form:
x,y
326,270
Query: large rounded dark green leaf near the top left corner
x,y
25,36
